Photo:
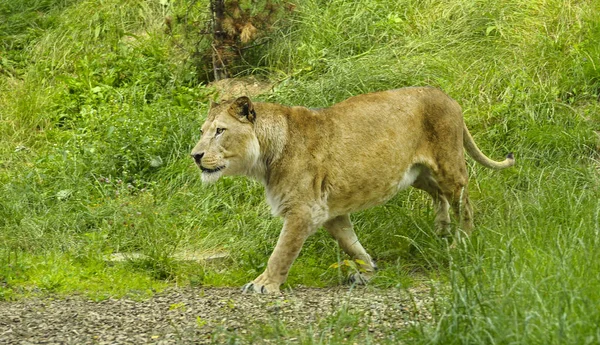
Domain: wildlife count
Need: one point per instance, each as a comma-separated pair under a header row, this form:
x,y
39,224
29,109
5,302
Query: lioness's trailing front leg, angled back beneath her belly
x,y
341,229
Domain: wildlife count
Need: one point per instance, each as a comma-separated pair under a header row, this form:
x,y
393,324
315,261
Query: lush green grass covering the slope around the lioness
x,y
100,106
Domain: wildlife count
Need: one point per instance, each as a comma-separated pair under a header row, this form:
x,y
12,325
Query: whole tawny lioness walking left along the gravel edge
x,y
319,165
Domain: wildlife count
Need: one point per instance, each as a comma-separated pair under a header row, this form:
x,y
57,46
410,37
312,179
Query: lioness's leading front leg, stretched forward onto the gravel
x,y
296,229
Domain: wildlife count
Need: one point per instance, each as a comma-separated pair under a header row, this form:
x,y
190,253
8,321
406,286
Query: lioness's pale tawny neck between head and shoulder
x,y
271,132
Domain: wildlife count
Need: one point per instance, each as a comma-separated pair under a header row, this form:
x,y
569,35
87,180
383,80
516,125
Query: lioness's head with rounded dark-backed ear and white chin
x,y
228,145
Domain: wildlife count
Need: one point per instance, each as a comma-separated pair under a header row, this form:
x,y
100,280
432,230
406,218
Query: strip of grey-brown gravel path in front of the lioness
x,y
208,315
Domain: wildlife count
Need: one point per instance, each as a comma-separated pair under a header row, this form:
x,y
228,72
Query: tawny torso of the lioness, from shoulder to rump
x,y
360,152
